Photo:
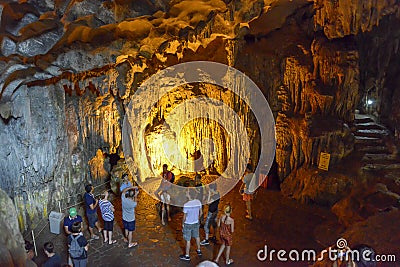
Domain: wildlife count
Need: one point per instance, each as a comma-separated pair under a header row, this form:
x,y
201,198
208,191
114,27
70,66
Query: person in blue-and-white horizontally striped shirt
x,y
107,212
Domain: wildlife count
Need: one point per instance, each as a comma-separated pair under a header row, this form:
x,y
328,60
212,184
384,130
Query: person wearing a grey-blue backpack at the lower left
x,y
78,246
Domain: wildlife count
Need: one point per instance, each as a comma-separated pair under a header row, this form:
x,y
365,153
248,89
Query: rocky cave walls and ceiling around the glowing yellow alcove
x,y
75,107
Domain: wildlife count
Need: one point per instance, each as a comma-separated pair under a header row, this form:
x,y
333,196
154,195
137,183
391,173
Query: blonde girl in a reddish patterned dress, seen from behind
x,y
226,224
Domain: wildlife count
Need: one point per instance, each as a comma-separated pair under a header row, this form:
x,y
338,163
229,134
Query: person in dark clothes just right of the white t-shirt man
x,y
211,219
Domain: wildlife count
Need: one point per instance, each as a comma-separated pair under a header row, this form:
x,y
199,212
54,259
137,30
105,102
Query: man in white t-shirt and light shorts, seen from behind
x,y
190,223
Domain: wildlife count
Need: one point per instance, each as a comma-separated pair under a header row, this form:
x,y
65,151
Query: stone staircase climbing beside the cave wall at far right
x,y
376,145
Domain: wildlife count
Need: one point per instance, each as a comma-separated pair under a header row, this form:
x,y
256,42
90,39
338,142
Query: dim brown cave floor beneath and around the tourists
x,y
279,223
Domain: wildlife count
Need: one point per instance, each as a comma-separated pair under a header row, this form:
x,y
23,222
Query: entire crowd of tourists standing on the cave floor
x,y
193,218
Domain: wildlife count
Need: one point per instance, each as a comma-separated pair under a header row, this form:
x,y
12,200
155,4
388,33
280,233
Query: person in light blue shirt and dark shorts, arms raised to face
x,y
129,203
